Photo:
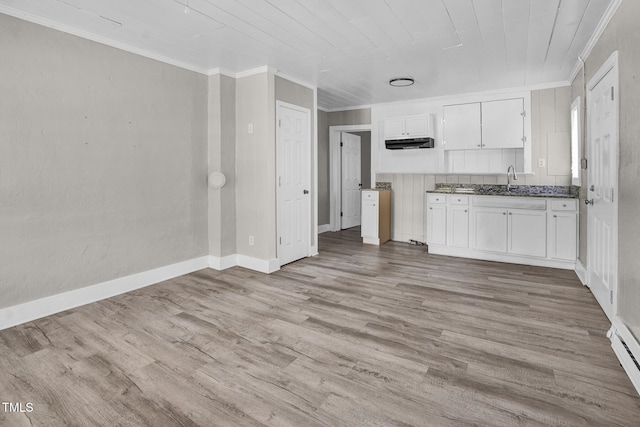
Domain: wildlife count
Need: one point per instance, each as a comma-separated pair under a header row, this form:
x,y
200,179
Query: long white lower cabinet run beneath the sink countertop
x,y
526,230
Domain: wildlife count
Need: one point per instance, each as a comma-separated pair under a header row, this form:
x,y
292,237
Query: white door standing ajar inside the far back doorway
x,y
351,180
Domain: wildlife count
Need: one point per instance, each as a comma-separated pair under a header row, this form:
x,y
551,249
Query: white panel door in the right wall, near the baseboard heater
x,y
602,187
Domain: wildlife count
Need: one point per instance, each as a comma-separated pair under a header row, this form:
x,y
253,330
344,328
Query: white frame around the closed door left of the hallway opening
x,y
313,182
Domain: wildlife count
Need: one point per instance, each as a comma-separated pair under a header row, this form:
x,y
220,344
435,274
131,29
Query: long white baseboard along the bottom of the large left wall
x,y
32,310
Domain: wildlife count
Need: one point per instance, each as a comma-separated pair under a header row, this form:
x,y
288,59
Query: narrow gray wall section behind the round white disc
x,y
222,158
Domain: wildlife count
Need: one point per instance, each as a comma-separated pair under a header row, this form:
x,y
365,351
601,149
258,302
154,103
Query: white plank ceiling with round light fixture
x,y
349,49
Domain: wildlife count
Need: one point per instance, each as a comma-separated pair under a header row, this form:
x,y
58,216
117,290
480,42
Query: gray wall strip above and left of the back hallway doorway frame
x,y
325,120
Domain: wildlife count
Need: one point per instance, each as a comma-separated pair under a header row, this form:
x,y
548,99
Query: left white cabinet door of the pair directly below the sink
x,y
490,229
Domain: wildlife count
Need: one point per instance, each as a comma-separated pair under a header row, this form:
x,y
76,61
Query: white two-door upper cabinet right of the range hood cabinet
x,y
484,125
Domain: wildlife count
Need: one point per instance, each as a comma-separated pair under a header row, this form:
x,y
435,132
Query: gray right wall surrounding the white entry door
x,y
622,35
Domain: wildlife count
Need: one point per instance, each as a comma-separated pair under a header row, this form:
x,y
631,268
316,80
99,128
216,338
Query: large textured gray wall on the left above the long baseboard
x,y
103,163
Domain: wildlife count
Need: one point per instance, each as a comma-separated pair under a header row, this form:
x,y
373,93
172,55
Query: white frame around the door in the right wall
x,y
610,65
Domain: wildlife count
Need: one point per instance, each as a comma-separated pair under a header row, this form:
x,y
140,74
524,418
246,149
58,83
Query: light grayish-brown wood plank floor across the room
x,y
357,336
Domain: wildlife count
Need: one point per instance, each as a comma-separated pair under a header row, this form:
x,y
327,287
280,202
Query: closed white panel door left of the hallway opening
x,y
293,183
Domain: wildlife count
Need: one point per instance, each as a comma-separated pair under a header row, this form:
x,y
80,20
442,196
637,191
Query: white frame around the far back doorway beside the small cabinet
x,y
335,172
